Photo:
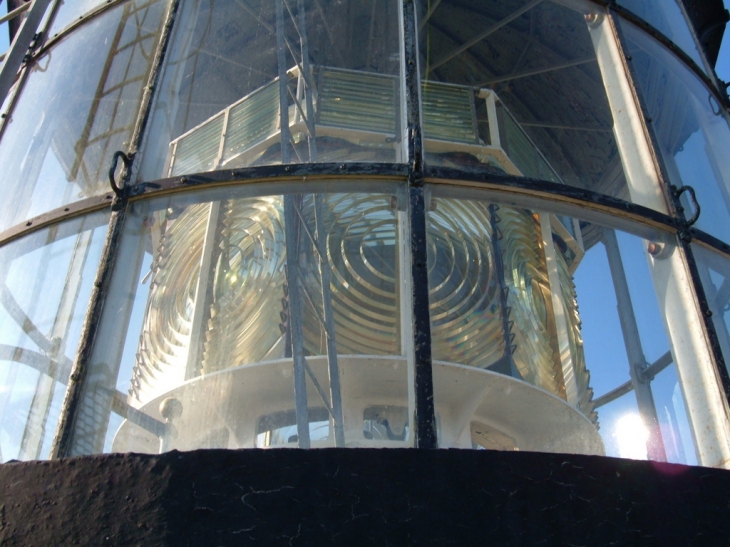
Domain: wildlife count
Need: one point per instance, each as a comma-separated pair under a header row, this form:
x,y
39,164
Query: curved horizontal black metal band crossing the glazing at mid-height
x,y
525,191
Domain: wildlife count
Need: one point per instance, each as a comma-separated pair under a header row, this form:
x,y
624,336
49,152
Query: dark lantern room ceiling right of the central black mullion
x,y
541,63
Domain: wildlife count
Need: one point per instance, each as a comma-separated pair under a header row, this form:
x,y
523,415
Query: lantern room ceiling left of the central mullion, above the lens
x,y
233,46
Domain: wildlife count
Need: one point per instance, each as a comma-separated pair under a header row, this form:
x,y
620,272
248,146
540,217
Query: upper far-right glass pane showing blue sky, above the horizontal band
x,y
690,127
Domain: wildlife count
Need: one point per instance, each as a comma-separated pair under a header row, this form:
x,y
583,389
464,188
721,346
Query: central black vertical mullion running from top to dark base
x,y
424,415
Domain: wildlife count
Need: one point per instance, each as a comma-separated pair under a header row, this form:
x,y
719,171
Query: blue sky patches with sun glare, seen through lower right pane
x,y
606,357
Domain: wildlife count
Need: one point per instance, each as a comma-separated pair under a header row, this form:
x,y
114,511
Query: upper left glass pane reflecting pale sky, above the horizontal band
x,y
78,106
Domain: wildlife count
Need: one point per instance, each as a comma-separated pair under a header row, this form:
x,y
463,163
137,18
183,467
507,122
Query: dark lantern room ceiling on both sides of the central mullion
x,y
537,56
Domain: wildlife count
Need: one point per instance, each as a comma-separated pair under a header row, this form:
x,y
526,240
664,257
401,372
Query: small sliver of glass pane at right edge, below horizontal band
x,y
715,273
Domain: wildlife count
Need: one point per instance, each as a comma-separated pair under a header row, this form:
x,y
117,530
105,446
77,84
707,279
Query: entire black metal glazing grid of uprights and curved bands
x,y
413,172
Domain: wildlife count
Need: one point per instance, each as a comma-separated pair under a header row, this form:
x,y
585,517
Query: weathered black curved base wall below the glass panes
x,y
361,497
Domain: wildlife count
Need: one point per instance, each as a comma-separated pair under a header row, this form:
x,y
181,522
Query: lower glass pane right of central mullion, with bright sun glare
x,y
555,340
